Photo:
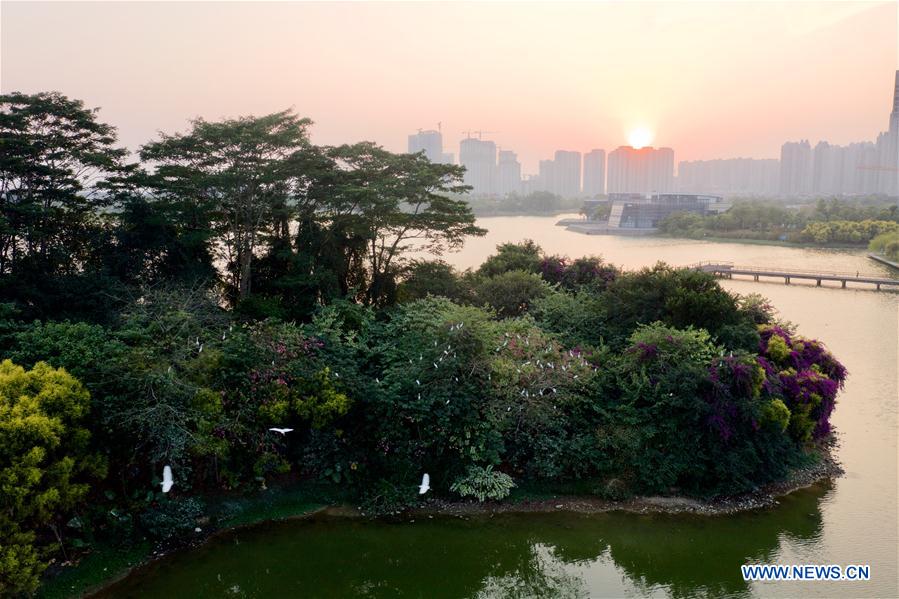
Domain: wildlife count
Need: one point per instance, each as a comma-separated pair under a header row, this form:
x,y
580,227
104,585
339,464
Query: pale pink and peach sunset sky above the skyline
x,y
710,79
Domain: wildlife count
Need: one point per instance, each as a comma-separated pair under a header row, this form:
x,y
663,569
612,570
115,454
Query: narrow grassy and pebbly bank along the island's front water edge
x,y
108,565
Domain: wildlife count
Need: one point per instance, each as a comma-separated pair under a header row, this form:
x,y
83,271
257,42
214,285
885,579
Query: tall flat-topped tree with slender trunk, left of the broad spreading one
x,y
243,171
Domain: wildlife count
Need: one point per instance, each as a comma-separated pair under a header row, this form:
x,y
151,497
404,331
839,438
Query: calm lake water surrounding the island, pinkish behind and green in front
x,y
851,521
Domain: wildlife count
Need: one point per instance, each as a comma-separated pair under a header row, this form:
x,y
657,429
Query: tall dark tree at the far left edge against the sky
x,y
55,160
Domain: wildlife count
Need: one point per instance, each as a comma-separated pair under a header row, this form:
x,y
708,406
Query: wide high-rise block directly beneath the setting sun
x,y
643,170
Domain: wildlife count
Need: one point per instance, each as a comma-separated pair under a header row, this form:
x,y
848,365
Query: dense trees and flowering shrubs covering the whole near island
x,y
240,308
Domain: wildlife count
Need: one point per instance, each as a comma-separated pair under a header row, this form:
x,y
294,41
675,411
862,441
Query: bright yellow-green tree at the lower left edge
x,y
45,463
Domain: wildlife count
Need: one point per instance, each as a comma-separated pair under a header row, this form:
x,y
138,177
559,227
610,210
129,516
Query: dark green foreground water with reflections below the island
x,y
526,555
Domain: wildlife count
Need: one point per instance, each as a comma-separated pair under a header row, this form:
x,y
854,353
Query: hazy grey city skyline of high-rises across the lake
x,y
866,167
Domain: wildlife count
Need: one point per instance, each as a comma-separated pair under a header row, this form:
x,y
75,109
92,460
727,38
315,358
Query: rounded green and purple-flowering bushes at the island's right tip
x,y
693,417
